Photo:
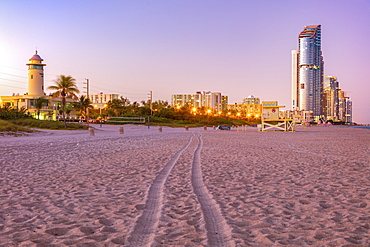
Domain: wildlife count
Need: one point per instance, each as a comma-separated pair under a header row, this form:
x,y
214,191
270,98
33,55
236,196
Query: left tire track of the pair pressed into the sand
x,y
144,230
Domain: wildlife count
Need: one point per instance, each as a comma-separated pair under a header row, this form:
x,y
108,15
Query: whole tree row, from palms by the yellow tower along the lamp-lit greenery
x,y
65,87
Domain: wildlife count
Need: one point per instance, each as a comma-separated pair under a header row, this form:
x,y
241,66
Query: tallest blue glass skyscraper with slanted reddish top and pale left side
x,y
307,72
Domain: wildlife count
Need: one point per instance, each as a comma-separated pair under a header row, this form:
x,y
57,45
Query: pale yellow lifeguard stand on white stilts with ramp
x,y
270,119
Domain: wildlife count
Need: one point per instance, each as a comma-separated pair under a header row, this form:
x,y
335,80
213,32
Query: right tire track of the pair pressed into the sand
x,y
218,232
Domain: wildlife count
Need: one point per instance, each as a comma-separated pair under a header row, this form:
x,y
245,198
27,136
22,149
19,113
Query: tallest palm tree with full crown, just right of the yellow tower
x,y
65,86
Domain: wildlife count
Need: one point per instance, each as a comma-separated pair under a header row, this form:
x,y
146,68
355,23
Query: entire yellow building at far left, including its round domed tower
x,y
36,89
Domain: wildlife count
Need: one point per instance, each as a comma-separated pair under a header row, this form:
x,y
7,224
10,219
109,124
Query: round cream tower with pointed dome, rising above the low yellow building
x,y
35,75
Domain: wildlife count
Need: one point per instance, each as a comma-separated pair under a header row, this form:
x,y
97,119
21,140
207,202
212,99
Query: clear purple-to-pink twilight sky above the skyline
x,y
236,47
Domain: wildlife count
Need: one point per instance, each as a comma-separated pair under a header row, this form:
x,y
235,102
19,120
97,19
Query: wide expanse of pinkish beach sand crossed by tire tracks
x,y
149,188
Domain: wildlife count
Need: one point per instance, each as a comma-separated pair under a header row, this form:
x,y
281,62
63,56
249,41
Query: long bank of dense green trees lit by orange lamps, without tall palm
x,y
161,113
